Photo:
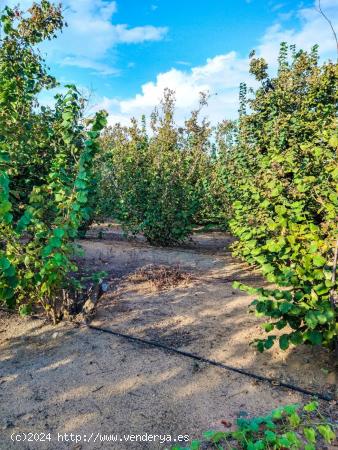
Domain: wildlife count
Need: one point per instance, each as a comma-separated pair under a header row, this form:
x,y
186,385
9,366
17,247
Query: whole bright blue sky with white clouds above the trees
x,y
125,52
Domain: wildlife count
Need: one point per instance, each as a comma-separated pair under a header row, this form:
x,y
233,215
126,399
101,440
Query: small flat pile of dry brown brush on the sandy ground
x,y
161,277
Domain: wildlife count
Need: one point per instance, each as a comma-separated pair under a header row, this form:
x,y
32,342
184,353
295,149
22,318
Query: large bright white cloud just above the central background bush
x,y
219,76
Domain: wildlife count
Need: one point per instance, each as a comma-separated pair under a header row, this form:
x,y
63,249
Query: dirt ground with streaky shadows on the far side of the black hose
x,y
208,316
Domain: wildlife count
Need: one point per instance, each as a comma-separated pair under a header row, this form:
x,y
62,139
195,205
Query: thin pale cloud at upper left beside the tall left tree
x,y
91,36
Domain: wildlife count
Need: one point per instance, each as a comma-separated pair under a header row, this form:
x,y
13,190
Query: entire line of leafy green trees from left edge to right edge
x,y
270,177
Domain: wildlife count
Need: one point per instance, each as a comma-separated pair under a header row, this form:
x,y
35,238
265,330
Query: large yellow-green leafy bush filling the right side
x,y
282,183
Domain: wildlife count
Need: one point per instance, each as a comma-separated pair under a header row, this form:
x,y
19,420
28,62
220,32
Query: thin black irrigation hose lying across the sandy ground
x,y
215,363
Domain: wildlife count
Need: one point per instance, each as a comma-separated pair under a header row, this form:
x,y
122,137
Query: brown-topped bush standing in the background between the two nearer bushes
x,y
155,184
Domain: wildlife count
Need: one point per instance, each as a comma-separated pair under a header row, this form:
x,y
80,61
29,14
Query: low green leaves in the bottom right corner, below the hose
x,y
287,427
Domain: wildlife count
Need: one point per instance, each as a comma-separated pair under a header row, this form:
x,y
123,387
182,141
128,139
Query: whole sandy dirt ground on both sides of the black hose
x,y
71,379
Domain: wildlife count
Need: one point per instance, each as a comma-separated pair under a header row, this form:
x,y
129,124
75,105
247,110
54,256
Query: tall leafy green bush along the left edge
x,y
45,166
